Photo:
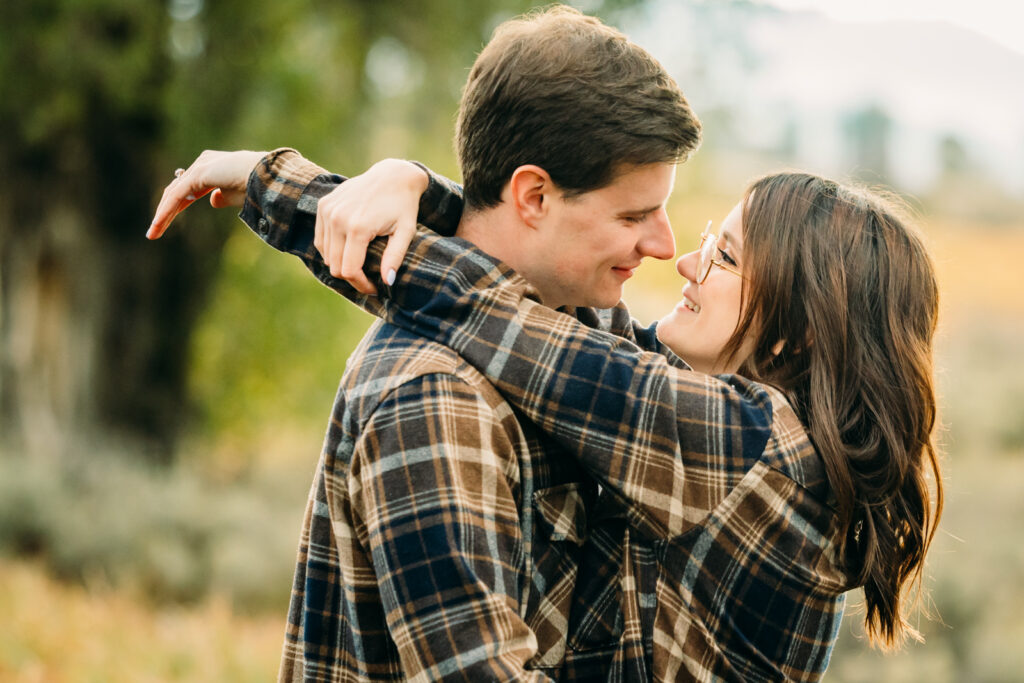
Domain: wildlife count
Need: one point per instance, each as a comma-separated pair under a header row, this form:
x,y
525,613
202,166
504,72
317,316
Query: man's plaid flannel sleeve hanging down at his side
x,y
435,483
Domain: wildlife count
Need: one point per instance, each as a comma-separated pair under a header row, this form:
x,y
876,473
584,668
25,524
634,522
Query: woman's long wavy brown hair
x,y
843,298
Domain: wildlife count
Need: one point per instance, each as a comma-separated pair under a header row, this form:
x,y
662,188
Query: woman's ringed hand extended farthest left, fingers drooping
x,y
222,175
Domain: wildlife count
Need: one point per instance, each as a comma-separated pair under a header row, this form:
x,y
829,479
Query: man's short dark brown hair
x,y
564,92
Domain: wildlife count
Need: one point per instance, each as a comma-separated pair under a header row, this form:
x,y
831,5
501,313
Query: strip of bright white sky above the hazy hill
x,y
1003,21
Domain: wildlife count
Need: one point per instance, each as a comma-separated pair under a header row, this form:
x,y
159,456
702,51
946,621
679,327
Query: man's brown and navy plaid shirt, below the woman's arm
x,y
443,536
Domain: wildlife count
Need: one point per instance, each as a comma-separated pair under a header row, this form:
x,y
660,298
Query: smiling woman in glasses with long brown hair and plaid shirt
x,y
817,308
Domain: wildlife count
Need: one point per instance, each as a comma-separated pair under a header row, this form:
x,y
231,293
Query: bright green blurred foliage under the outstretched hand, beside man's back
x,y
272,346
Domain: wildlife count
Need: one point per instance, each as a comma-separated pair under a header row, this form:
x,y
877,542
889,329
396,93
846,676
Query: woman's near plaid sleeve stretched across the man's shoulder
x,y
670,443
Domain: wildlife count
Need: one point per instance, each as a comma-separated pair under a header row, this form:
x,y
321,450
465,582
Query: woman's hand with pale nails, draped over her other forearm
x,y
385,200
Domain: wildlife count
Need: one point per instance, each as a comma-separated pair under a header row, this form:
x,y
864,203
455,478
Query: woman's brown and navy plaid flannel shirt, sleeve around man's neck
x,y
723,560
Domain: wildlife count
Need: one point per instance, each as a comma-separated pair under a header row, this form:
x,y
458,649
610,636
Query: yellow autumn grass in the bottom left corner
x,y
56,633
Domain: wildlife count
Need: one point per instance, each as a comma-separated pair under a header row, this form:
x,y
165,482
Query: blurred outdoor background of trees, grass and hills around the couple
x,y
162,406
